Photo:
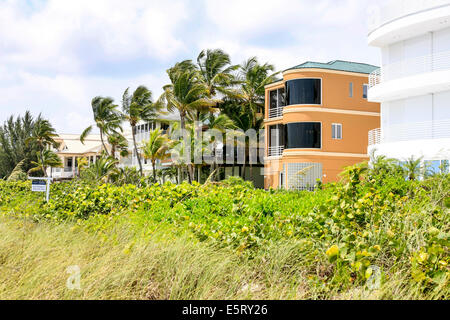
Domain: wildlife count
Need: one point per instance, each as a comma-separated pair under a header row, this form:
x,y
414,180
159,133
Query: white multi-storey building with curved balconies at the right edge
x,y
413,84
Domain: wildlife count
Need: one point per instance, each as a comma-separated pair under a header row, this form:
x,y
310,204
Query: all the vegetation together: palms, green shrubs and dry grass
x,y
382,232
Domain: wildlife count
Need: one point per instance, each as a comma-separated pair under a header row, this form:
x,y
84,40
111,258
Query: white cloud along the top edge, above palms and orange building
x,y
239,17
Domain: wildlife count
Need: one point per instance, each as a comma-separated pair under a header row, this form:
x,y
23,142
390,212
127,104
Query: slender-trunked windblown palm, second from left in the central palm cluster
x,y
139,107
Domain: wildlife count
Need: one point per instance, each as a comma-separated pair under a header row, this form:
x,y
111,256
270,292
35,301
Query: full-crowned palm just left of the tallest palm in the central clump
x,y
186,94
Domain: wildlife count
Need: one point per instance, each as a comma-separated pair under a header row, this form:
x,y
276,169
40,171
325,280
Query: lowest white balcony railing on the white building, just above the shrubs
x,y
425,130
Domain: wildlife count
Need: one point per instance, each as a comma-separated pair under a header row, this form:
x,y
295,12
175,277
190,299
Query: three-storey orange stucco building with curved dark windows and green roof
x,y
317,120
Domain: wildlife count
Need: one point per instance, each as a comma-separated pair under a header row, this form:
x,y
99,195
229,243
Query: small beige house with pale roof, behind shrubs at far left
x,y
71,149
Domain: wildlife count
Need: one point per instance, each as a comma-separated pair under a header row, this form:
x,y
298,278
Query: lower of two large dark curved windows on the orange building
x,y
303,135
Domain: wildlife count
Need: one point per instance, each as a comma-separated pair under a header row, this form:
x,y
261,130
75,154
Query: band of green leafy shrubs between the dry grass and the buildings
x,y
373,218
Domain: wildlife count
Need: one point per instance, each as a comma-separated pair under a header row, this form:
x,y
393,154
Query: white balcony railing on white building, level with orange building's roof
x,y
430,63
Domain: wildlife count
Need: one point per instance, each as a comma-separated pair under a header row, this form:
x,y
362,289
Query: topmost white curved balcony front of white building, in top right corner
x,y
381,15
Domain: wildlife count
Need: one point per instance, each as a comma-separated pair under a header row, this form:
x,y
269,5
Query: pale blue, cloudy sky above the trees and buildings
x,y
55,56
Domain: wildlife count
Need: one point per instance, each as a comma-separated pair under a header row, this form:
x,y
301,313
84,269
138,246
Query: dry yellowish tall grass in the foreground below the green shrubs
x,y
114,265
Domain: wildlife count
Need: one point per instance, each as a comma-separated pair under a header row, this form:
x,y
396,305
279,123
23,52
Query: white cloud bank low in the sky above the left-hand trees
x,y
65,99
